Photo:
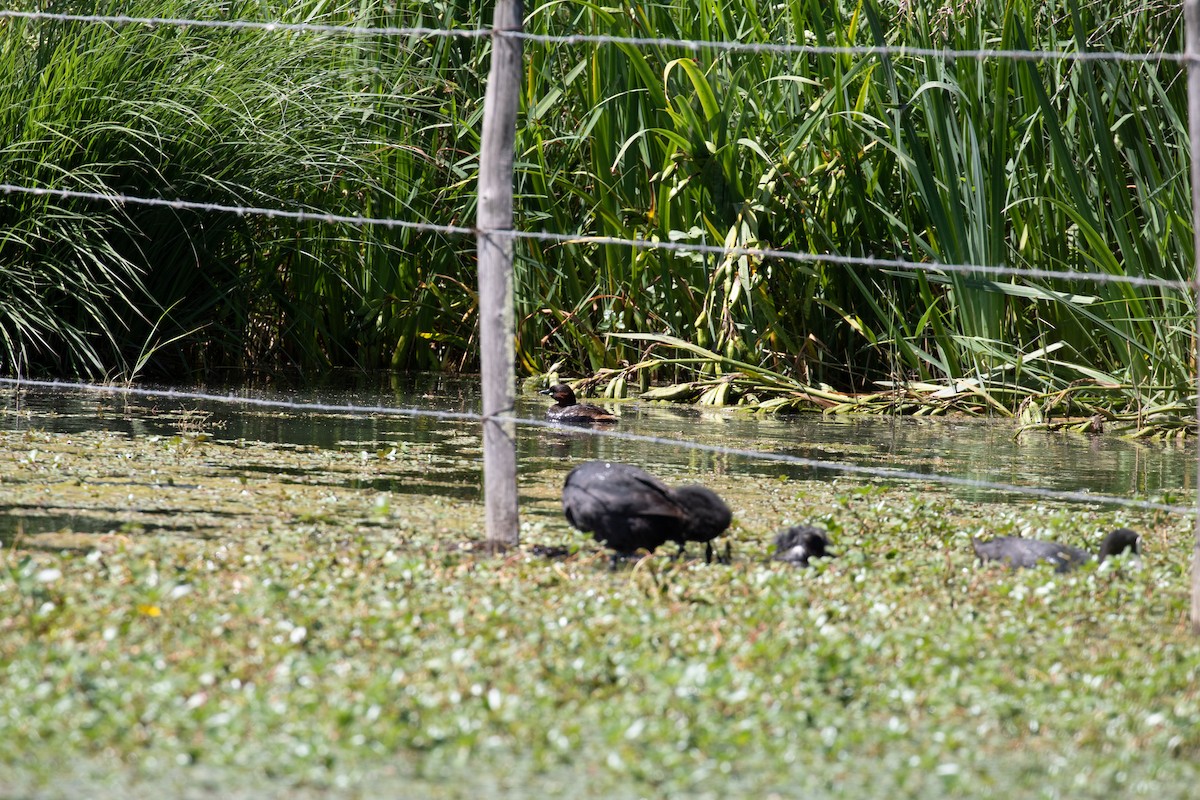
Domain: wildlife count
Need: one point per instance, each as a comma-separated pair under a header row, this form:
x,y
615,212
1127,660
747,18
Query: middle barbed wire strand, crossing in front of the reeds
x,y
584,239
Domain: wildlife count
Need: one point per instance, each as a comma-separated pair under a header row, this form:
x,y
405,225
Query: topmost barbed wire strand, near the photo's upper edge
x,y
601,39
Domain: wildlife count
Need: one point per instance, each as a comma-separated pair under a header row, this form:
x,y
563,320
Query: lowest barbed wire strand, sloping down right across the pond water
x,y
800,461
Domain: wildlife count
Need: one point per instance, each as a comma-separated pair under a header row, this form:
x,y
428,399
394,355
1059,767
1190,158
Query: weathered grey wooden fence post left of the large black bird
x,y
497,327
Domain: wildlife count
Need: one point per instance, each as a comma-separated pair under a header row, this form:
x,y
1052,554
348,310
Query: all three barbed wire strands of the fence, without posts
x,y
566,238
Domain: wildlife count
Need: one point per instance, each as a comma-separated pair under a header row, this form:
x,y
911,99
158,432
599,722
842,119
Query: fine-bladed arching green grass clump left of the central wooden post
x,y
226,117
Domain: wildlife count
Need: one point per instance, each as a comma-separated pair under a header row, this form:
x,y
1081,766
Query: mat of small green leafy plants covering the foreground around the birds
x,y
208,618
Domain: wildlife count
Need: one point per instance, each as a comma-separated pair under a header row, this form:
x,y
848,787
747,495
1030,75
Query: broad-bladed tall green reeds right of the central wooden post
x,y
1058,166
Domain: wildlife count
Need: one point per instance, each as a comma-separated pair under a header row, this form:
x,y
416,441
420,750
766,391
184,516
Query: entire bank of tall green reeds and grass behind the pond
x,y
1043,165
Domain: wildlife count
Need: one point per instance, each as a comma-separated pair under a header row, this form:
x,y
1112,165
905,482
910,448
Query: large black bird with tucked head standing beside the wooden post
x,y
627,509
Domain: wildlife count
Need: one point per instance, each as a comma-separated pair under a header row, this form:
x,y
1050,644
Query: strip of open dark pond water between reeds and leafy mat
x,y
971,449
